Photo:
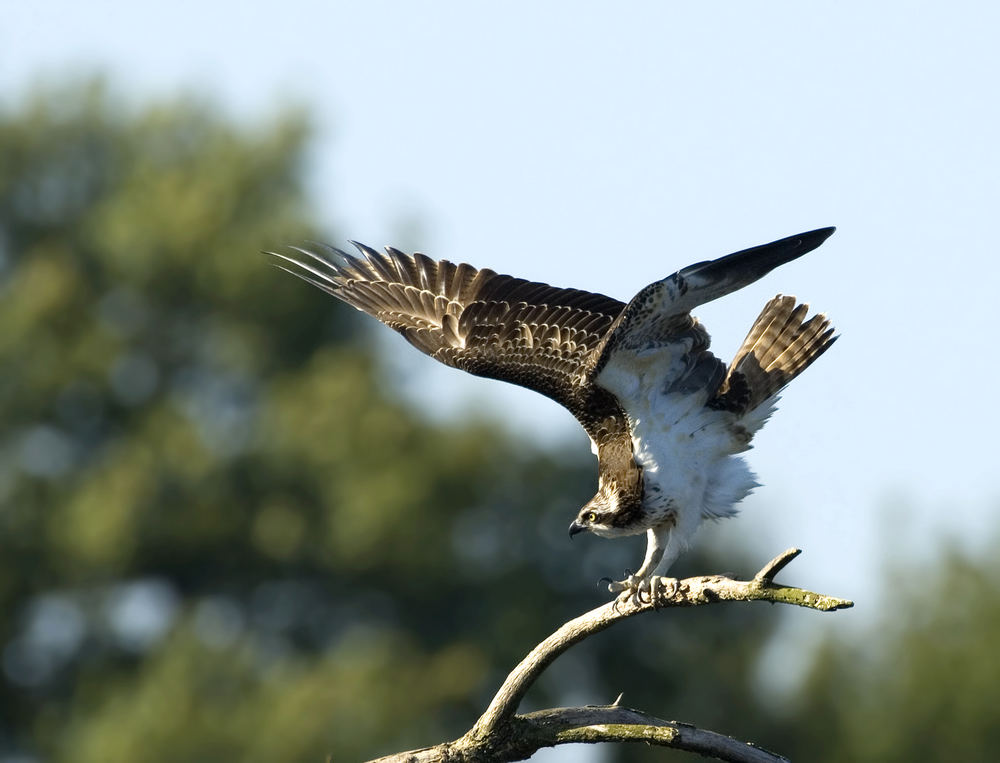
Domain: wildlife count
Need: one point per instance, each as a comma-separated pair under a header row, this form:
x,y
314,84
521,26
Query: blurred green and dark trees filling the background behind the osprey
x,y
224,537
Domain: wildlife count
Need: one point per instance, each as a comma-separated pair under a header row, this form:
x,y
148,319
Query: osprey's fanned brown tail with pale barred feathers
x,y
781,345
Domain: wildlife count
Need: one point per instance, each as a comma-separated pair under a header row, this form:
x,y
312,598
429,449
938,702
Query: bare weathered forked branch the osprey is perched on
x,y
502,735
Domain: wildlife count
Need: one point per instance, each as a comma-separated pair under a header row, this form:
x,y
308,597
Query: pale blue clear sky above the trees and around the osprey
x,y
603,148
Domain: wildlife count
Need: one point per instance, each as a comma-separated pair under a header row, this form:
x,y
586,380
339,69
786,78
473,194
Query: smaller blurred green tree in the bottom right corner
x,y
921,683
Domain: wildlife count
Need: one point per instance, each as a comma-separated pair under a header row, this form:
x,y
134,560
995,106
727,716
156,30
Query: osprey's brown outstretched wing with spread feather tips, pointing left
x,y
531,334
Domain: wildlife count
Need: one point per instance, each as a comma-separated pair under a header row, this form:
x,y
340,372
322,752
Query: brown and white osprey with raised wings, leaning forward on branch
x,y
665,417
